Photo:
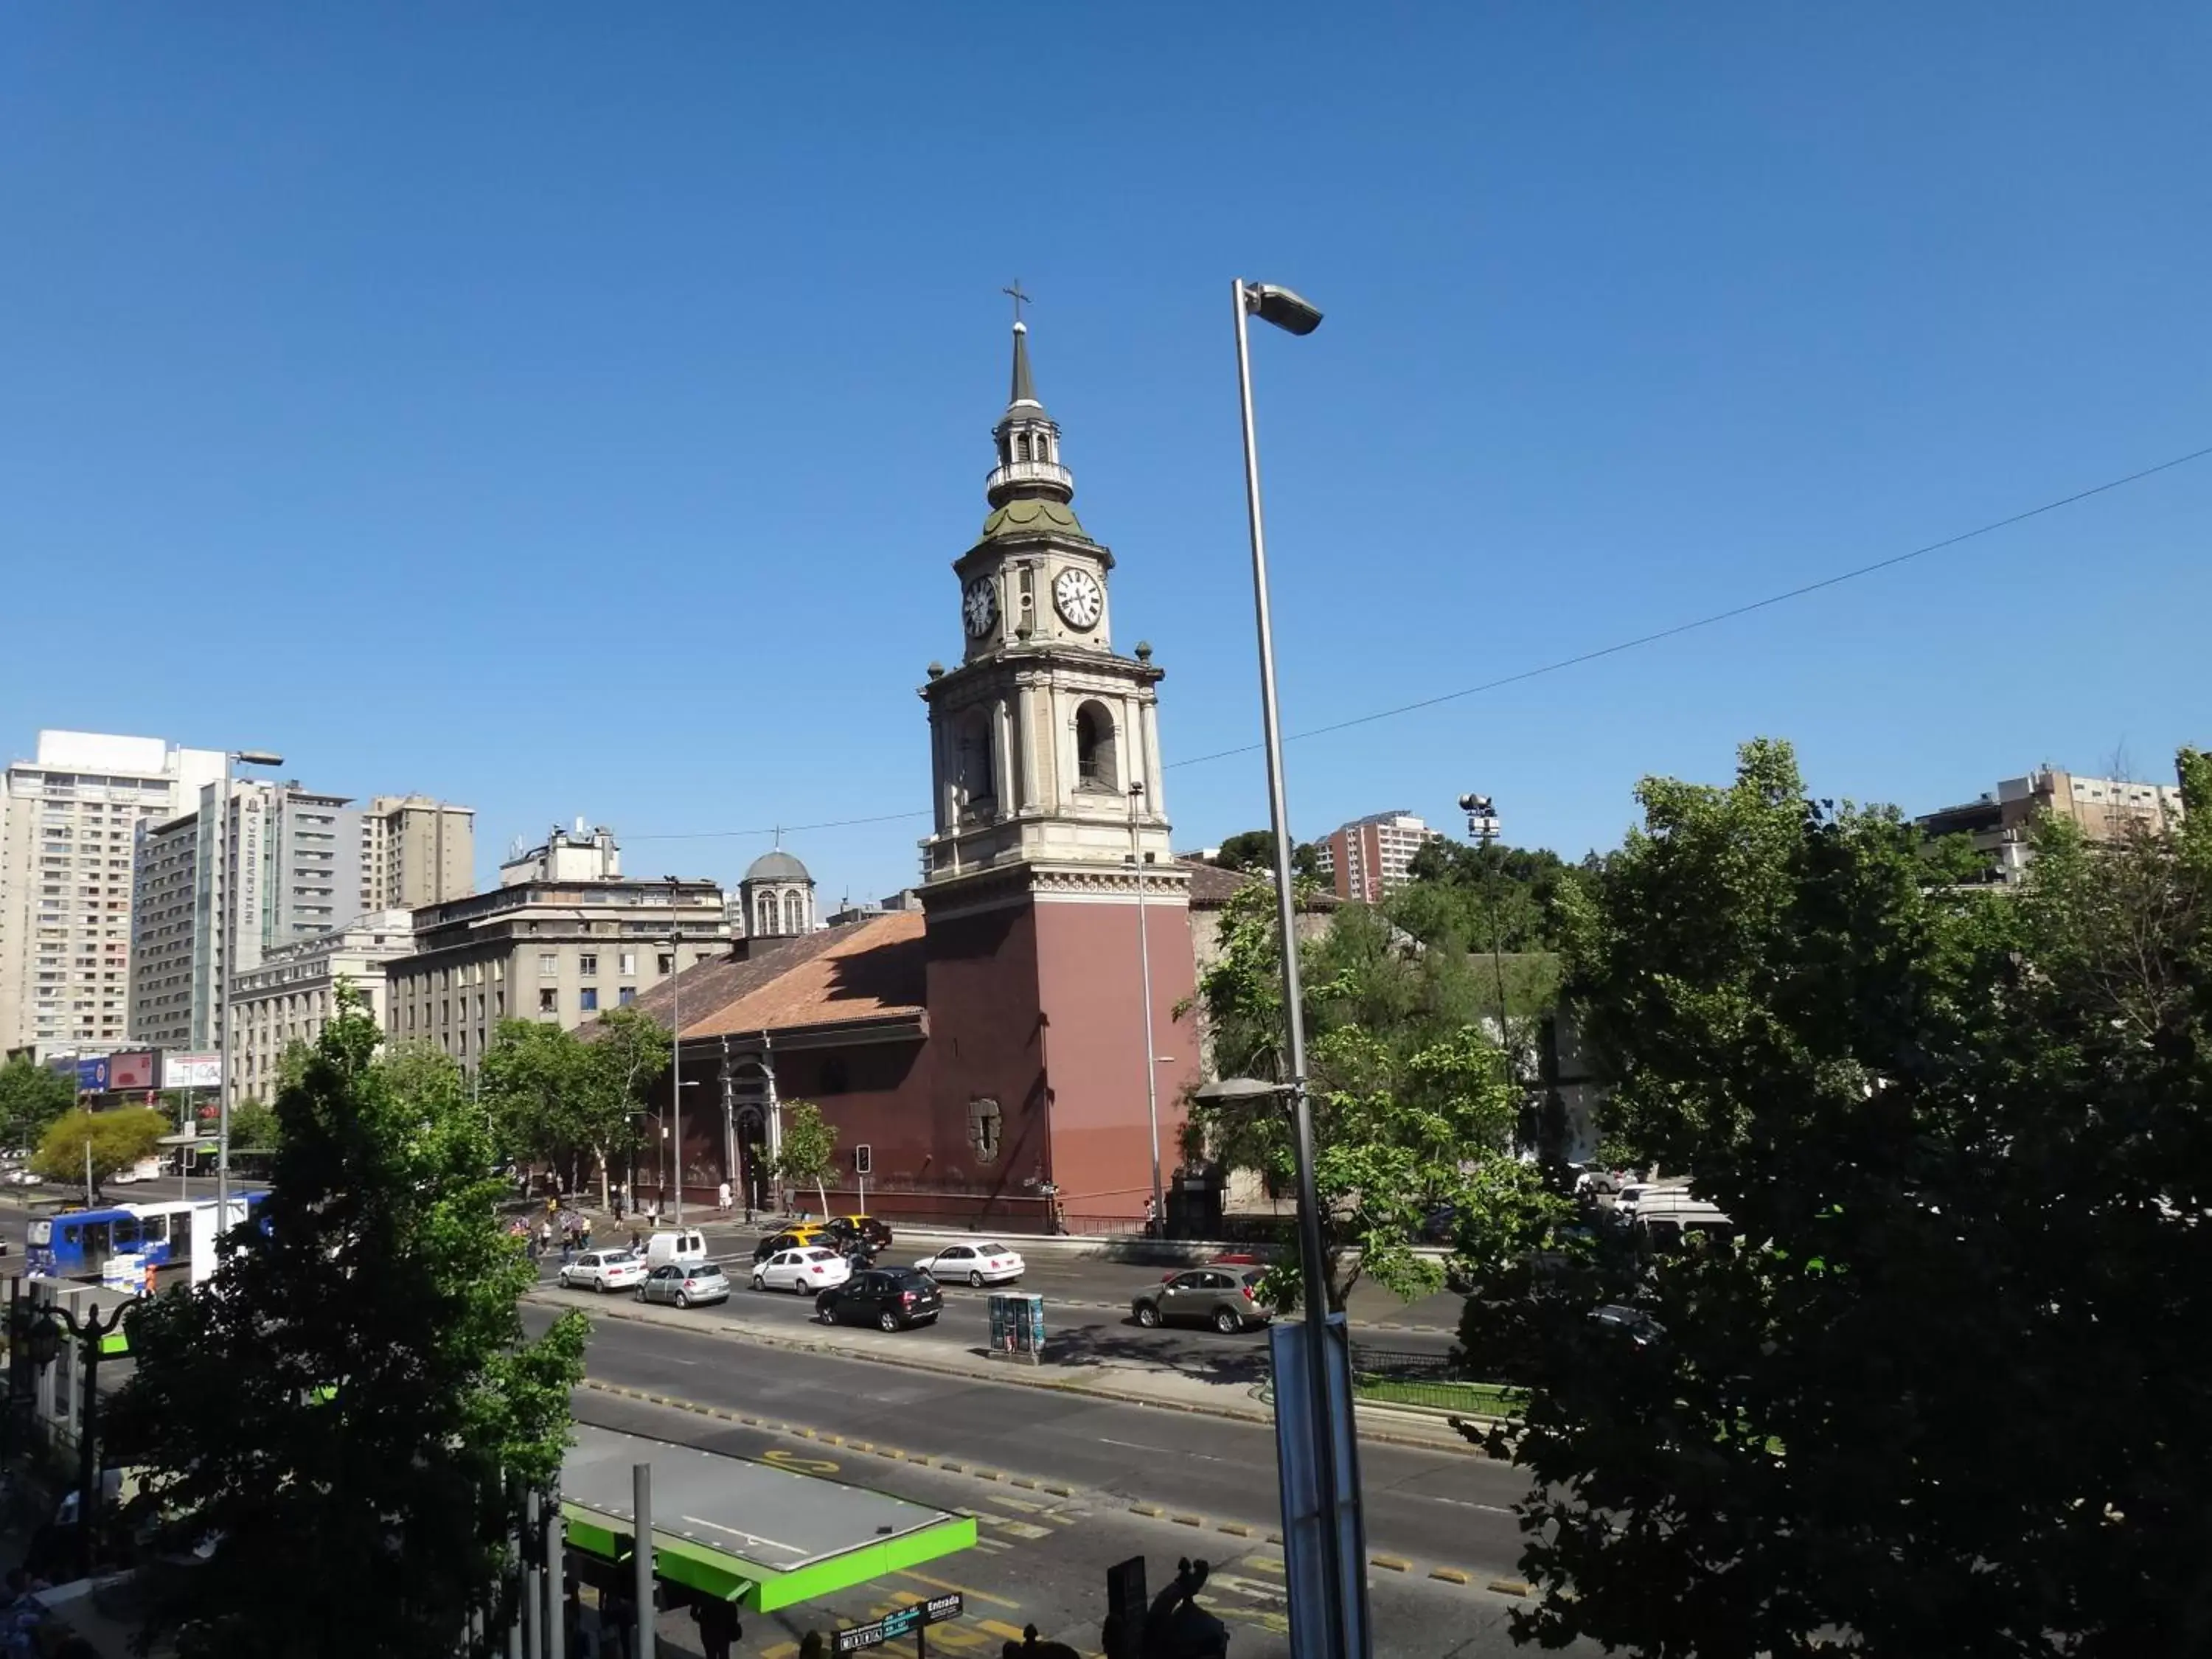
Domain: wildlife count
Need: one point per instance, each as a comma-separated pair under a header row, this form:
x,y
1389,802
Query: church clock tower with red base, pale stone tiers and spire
x,y
1058,924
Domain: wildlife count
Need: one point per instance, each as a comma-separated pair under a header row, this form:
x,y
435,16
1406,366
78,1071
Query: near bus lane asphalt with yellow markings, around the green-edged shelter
x,y
1043,1561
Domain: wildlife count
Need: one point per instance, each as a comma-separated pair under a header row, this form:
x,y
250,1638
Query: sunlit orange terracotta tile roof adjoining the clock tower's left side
x,y
866,972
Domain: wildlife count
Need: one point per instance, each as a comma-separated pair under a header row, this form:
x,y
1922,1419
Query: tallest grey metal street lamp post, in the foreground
x,y
1295,315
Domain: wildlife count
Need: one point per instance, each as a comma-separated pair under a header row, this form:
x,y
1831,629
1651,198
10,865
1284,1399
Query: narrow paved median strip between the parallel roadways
x,y
1103,1379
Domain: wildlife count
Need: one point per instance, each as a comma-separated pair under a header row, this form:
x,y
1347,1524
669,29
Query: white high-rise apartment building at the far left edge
x,y
67,835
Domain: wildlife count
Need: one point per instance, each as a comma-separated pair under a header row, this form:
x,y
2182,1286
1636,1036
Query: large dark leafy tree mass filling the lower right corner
x,y
1941,1390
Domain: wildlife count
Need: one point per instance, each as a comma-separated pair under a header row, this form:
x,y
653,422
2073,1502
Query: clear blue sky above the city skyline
x,y
576,410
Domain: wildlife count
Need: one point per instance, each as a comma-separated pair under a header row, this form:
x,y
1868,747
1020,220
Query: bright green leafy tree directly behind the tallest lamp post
x,y
1412,1107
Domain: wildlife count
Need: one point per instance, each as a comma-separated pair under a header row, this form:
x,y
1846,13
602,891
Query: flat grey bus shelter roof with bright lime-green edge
x,y
742,1530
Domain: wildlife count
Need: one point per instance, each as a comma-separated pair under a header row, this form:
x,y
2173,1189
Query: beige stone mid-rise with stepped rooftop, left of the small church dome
x,y
563,939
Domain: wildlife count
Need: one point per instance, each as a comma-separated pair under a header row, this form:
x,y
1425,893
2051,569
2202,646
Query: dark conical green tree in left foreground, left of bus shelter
x,y
335,1417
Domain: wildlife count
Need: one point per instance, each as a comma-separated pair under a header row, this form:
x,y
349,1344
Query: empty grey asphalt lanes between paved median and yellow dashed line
x,y
1430,1507
